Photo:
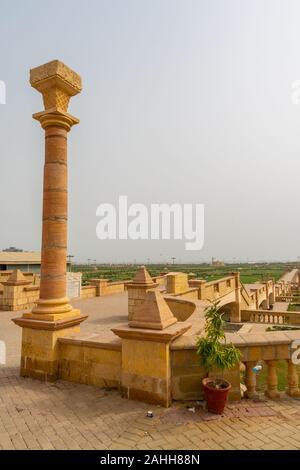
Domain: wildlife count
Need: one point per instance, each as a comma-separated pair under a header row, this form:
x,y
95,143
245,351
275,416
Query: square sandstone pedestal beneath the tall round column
x,y
40,345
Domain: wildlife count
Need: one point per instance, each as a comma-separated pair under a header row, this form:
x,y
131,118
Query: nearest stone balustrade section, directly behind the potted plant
x,y
267,348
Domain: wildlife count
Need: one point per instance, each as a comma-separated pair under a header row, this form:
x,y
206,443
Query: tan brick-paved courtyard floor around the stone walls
x,y
64,415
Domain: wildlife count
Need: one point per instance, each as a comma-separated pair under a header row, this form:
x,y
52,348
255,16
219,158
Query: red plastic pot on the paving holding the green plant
x,y
215,397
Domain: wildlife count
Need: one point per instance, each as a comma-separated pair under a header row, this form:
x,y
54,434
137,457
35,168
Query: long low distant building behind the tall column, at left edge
x,y
26,261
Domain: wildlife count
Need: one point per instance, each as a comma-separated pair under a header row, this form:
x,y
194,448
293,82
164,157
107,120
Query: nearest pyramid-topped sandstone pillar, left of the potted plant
x,y
146,365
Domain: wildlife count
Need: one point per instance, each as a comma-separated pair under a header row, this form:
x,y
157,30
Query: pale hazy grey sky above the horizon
x,y
183,101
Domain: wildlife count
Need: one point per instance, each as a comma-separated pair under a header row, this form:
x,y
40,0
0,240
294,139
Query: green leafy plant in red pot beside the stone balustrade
x,y
215,353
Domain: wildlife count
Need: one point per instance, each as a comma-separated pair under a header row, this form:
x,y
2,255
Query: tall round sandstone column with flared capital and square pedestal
x,y
53,316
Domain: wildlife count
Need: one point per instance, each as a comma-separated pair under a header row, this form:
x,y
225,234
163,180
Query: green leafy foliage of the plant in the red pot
x,y
212,349
